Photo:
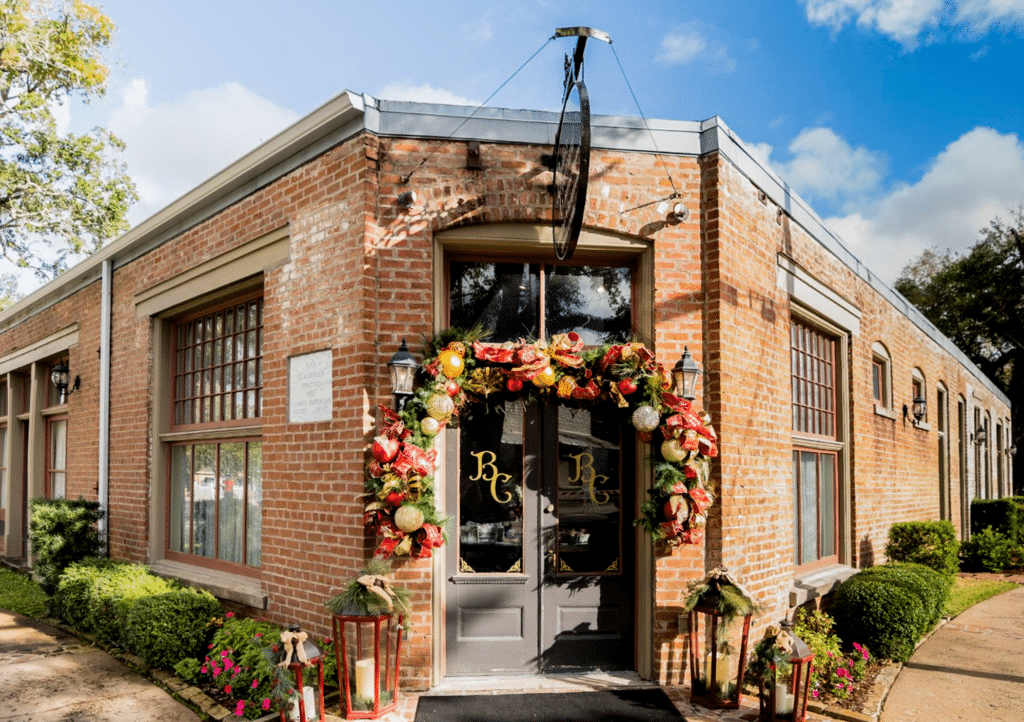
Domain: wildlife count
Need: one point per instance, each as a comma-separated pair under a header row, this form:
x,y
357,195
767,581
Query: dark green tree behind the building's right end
x,y
977,300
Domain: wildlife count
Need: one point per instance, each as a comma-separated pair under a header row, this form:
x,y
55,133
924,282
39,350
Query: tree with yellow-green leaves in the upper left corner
x,y
60,194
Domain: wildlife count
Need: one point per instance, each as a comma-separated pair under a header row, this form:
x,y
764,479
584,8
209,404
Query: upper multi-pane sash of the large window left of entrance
x,y
219,374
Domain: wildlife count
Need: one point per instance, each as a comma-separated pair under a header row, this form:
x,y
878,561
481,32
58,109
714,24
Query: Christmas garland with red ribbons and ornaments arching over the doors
x,y
459,370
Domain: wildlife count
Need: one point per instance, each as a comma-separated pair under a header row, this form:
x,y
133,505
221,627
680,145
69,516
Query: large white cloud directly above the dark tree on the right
x,y
978,178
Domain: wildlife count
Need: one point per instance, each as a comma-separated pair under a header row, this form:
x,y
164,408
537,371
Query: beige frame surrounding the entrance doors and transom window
x,y
599,246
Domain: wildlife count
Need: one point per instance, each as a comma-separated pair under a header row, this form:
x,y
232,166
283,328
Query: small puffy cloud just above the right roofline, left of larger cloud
x,y
826,167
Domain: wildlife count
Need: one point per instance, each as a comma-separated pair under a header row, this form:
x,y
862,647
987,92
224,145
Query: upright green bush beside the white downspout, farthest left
x,y
63,532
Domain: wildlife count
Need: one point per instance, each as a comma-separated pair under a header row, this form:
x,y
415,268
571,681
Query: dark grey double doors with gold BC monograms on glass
x,y
540,567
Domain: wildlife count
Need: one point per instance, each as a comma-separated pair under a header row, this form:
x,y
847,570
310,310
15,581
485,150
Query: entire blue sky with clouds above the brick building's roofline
x,y
902,122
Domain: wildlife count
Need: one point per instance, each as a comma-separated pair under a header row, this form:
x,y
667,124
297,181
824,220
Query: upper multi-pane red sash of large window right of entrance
x,y
814,378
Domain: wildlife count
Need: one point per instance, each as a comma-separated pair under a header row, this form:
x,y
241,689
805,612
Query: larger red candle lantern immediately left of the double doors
x,y
367,650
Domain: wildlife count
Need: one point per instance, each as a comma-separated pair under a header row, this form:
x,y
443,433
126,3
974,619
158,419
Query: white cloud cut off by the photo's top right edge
x,y
906,21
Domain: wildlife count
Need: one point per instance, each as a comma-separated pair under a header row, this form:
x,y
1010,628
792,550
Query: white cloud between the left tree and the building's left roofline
x,y
174,147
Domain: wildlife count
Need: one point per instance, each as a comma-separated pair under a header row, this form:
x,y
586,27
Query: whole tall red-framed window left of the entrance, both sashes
x,y
215,507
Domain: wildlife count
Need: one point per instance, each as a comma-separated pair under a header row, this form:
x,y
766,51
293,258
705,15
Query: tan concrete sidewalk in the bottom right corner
x,y
971,669
